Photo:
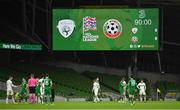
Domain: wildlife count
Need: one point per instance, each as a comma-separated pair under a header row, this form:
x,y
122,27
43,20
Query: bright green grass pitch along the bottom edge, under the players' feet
x,y
102,105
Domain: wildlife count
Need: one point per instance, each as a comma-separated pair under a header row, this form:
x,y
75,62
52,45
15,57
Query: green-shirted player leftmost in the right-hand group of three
x,y
122,89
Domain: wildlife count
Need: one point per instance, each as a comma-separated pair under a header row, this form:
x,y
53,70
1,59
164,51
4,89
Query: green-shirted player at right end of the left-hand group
x,y
47,88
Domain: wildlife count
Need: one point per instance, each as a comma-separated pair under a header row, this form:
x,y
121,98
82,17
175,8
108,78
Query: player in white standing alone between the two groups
x,y
96,89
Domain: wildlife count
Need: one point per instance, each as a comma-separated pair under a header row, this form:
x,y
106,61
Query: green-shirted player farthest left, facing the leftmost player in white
x,y
23,91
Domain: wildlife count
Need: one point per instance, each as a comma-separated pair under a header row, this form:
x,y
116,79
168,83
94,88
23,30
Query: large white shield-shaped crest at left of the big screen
x,y
66,27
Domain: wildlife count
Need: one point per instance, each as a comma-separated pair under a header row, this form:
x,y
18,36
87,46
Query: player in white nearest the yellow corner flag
x,y
142,90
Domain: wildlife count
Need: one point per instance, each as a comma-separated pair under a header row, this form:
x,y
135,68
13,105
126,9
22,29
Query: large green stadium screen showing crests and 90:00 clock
x,y
105,29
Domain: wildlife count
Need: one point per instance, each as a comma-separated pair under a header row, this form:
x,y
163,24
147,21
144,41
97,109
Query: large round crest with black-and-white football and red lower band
x,y
112,28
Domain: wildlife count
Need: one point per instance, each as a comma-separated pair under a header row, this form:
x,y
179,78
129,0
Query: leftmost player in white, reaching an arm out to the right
x,y
9,85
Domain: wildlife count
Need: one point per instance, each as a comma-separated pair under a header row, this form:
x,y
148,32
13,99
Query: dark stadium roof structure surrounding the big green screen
x,y
32,22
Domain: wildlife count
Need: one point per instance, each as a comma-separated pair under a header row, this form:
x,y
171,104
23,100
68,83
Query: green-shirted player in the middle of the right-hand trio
x,y
132,86
